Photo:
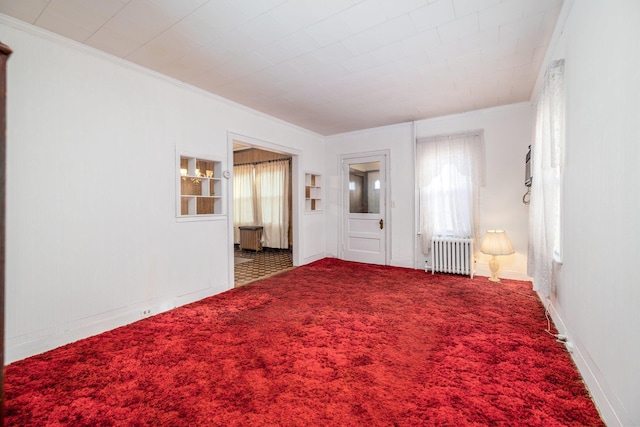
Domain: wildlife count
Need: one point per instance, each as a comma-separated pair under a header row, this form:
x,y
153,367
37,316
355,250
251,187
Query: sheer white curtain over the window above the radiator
x,y
450,171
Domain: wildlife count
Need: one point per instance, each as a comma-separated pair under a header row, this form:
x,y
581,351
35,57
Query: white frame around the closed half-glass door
x,y
344,186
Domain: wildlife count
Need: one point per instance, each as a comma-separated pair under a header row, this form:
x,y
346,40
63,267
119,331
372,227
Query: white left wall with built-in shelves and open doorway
x,y
92,237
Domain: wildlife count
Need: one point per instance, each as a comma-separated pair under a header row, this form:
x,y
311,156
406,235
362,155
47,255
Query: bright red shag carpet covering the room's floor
x,y
328,344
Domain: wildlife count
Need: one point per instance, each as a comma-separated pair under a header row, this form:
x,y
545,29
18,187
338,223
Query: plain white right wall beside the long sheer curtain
x,y
598,291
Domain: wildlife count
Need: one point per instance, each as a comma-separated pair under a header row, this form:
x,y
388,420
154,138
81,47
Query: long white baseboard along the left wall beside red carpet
x,y
59,335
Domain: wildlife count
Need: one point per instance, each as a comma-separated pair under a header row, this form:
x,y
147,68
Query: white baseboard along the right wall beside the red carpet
x,y
591,375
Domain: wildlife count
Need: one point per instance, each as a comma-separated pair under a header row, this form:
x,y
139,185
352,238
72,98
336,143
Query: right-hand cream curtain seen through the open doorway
x,y
272,193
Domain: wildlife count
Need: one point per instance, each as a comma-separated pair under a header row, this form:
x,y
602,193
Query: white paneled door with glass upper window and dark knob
x,y
364,209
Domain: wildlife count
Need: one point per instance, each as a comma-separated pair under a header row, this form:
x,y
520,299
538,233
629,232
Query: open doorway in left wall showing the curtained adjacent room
x,y
264,214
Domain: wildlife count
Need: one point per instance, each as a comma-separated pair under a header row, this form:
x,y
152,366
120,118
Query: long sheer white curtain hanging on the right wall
x,y
547,160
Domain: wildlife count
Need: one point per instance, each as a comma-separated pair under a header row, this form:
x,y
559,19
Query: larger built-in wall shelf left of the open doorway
x,y
199,187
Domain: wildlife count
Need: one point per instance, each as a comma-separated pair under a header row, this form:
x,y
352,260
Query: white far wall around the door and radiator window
x,y
507,133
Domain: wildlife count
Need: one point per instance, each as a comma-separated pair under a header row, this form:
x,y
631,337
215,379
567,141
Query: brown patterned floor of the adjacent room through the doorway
x,y
261,264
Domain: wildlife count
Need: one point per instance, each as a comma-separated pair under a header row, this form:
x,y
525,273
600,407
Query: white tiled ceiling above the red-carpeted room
x,y
330,66
